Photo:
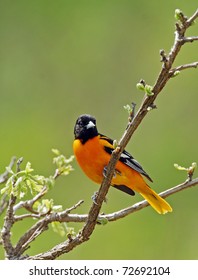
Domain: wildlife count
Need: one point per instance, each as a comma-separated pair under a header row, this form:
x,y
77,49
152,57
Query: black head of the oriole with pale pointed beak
x,y
85,128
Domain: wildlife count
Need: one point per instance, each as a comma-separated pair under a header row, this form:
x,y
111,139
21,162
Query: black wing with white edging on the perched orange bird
x,y
127,159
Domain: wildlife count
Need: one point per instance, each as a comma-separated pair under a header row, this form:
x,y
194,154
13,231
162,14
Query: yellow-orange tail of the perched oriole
x,y
157,202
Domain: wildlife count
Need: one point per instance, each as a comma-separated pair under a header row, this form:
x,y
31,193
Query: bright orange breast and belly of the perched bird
x,y
92,158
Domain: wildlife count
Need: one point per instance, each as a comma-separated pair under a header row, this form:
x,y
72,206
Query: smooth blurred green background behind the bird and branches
x,y
59,59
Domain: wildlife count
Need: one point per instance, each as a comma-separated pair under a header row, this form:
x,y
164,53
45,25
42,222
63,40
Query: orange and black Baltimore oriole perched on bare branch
x,y
93,151
